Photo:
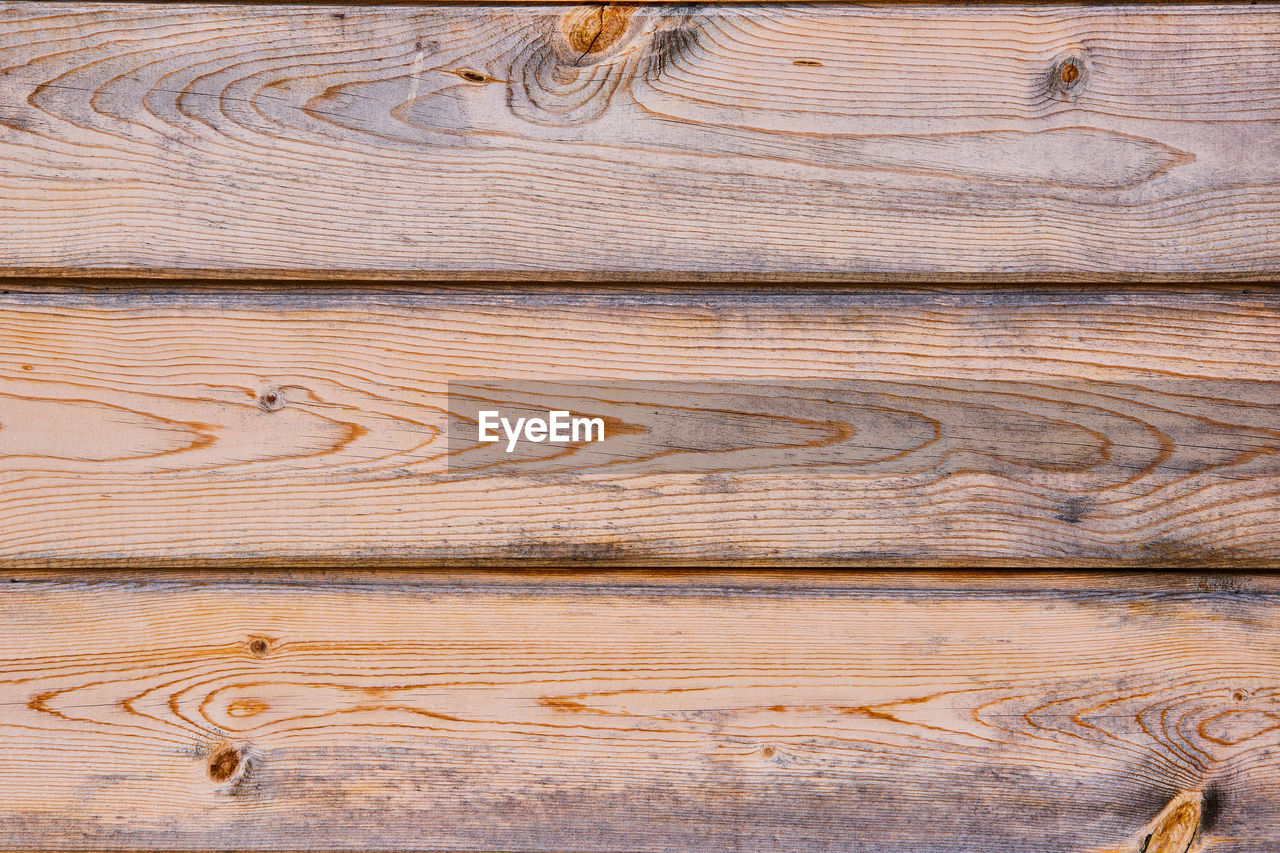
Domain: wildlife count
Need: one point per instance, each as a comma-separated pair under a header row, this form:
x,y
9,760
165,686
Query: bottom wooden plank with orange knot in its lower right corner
x,y
665,714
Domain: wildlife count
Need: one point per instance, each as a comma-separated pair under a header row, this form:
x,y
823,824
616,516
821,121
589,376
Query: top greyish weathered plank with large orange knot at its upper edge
x,y
828,142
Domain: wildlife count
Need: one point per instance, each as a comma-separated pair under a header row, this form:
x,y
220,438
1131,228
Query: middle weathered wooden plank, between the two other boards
x,y
1044,426
